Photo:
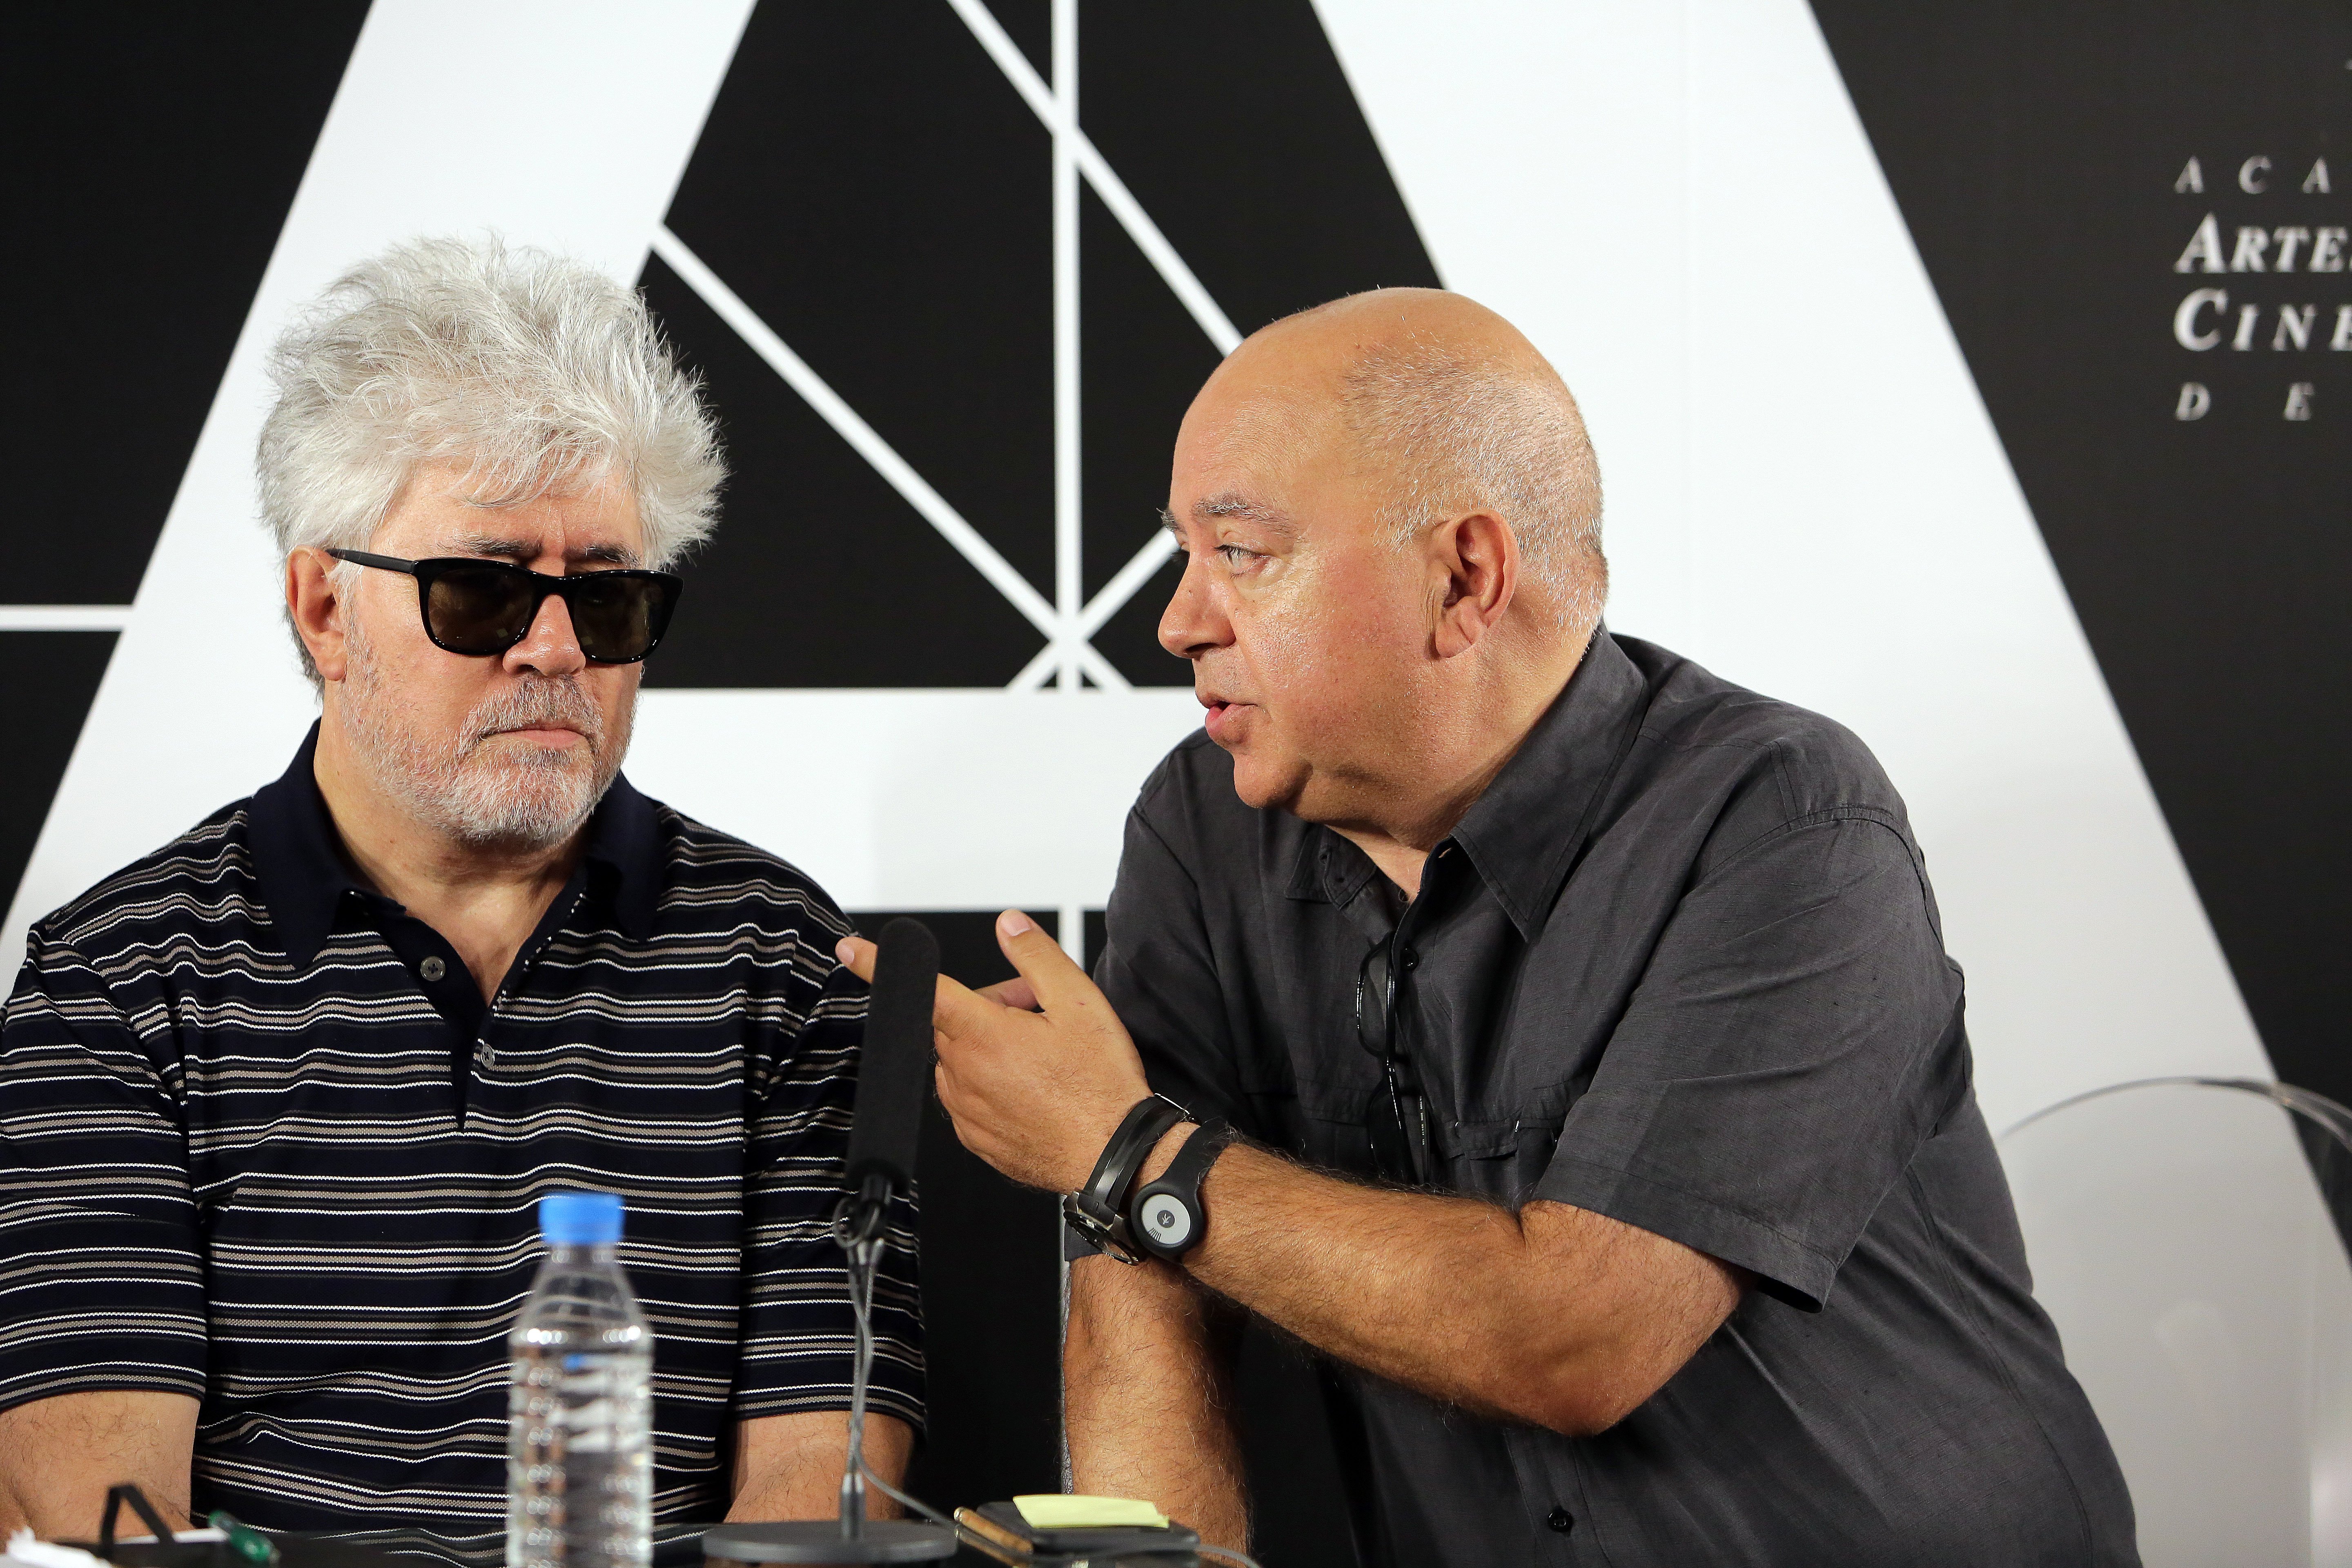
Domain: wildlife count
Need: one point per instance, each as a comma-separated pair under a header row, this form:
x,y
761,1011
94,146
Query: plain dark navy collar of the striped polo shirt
x,y
305,878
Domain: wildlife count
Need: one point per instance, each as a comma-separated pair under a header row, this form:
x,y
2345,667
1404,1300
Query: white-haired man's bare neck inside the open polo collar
x,y
483,902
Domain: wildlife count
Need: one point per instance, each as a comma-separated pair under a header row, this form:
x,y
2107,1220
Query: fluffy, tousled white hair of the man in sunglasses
x,y
533,370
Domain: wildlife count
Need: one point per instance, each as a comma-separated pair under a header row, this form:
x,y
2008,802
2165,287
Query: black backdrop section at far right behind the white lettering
x,y
2036,154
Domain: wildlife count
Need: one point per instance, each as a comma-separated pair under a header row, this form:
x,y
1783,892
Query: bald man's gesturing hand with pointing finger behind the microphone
x,y
1036,1094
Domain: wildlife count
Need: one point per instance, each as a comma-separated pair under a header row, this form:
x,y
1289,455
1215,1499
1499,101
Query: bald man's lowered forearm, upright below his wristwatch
x,y
1147,1398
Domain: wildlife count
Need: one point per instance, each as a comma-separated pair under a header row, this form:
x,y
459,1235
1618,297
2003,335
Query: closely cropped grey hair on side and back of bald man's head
x,y
1459,431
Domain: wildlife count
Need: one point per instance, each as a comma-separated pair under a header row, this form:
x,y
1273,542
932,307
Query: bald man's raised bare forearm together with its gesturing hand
x,y
1551,1315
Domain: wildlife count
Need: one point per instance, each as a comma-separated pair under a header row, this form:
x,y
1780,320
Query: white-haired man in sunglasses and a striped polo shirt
x,y
279,1101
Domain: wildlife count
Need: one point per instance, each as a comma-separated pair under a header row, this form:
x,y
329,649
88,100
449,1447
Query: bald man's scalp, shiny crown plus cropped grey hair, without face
x,y
1441,408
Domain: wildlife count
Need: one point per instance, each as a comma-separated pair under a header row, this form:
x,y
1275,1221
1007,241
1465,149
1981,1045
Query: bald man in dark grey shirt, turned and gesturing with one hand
x,y
1598,1071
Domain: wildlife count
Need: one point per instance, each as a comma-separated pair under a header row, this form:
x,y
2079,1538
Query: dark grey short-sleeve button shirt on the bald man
x,y
1681,965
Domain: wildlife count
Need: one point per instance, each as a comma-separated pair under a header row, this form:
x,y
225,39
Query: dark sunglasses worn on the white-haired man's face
x,y
481,610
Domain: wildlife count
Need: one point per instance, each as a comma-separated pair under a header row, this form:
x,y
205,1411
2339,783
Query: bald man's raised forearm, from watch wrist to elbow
x,y
1546,1318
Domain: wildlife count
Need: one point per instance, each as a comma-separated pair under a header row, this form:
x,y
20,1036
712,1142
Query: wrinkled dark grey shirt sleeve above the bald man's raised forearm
x,y
1791,1045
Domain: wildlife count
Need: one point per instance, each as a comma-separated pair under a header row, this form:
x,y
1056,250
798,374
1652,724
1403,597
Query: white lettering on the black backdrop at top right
x,y
2207,316
